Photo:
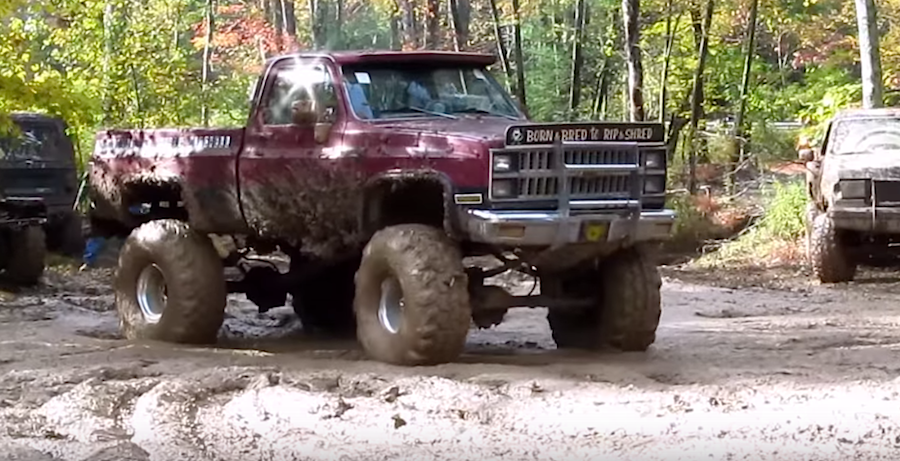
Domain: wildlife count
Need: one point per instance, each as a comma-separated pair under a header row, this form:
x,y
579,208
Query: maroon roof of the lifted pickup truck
x,y
394,57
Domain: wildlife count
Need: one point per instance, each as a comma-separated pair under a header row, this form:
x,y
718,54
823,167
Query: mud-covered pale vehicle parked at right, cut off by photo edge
x,y
853,213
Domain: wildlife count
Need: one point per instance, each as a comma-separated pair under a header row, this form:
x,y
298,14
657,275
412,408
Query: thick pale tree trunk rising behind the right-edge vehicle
x,y
870,54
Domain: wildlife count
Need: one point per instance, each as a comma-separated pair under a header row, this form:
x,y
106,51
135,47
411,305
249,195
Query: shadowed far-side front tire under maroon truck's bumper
x,y
628,311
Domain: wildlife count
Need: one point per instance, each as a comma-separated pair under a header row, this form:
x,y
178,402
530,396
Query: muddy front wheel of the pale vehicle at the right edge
x,y
827,254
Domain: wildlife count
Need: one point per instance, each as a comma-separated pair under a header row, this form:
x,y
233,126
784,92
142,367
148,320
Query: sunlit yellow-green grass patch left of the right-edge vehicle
x,y
774,239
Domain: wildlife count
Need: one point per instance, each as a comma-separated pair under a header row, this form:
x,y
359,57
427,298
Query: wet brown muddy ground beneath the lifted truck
x,y
797,372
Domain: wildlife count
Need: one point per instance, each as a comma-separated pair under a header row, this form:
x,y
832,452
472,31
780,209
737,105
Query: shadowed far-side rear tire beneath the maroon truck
x,y
324,303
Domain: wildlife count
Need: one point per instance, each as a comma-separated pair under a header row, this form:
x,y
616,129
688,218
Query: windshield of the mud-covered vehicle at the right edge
x,y
864,135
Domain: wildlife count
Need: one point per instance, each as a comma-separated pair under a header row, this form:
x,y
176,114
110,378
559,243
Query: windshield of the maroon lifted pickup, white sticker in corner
x,y
378,93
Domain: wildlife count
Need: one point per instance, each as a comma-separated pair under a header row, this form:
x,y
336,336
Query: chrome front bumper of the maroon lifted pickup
x,y
551,228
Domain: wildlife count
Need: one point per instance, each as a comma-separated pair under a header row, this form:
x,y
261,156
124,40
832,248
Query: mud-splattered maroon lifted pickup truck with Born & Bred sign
x,y
377,173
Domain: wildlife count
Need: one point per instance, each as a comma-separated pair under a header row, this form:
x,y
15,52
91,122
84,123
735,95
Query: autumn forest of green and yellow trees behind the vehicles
x,y
736,81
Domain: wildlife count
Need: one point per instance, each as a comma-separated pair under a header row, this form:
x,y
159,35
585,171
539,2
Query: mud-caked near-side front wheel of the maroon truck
x,y
412,300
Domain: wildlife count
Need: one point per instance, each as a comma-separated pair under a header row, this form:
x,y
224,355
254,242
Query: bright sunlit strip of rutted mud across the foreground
x,y
246,414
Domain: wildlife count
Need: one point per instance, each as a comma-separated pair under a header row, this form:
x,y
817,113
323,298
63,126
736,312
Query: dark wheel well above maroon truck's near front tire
x,y
416,200
